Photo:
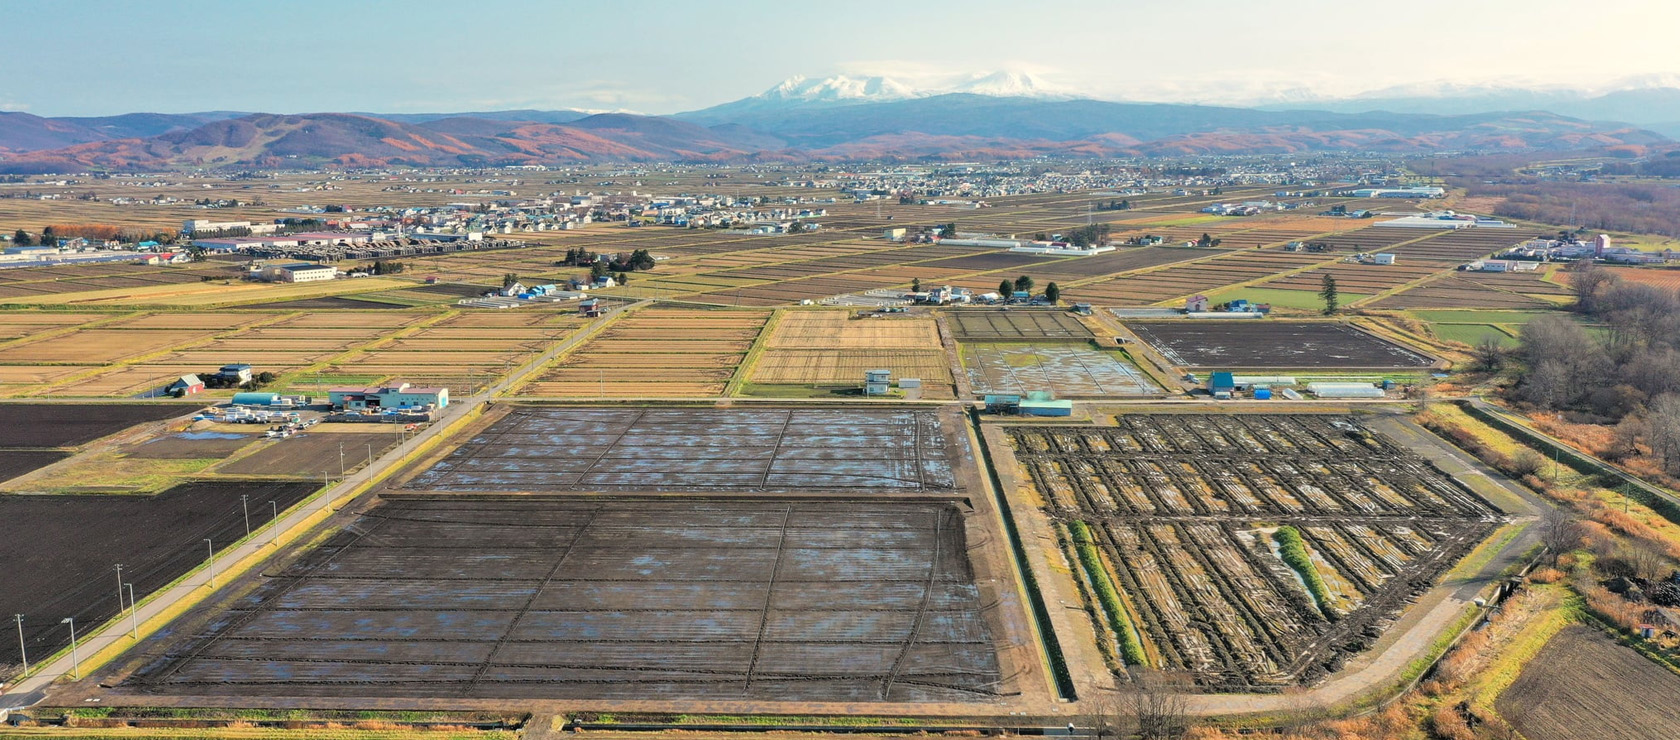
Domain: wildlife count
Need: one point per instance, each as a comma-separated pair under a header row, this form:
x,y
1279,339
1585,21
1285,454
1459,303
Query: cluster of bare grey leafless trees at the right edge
x,y
1622,373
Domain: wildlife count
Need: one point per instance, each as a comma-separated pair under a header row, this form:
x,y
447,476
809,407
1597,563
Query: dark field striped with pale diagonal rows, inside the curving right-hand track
x,y
1185,510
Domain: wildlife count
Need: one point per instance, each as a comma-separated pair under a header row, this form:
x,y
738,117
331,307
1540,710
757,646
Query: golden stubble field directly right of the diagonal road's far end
x,y
656,352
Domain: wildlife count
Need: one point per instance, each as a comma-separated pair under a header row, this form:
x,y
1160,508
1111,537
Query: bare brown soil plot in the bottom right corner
x,y
1583,685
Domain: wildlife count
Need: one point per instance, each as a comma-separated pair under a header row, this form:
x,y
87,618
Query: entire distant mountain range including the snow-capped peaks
x,y
1002,115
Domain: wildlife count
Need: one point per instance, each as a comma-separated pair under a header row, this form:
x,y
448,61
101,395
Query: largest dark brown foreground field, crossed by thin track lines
x,y
505,598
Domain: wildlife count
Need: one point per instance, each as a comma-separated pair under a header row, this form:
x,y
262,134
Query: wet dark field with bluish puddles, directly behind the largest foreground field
x,y
706,450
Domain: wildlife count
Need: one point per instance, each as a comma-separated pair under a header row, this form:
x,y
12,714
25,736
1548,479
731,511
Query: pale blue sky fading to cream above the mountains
x,y
100,58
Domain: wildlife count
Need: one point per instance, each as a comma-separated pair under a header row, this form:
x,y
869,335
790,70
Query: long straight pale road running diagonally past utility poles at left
x,y
33,689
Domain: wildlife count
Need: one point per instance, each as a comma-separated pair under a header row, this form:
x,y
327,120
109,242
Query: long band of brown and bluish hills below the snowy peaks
x,y
359,140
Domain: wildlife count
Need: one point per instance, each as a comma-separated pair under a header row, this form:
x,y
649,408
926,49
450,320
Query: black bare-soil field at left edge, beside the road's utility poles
x,y
50,573
